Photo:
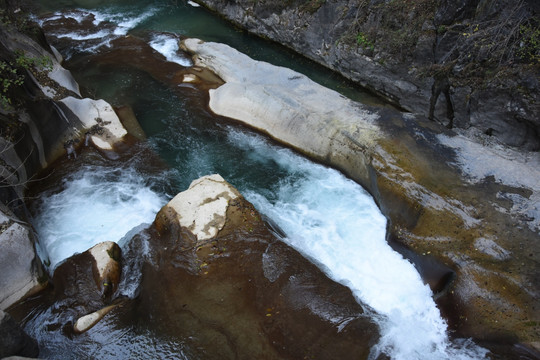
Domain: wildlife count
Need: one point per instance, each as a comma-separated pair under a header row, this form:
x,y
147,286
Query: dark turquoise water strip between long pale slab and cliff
x,y
180,18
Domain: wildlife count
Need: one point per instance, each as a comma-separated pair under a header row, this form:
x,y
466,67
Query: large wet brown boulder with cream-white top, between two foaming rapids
x,y
239,292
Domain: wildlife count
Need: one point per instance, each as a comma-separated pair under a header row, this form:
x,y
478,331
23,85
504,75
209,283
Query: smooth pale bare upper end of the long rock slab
x,y
315,119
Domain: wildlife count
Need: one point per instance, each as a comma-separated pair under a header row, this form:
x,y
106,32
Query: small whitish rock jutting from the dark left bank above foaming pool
x,y
98,112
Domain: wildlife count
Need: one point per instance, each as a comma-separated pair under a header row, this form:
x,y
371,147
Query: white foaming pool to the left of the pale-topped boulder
x,y
96,204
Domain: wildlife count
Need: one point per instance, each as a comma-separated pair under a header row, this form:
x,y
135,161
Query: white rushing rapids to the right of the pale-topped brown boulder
x,y
335,222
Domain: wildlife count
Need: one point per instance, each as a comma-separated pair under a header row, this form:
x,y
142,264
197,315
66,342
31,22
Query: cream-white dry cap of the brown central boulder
x,y
202,208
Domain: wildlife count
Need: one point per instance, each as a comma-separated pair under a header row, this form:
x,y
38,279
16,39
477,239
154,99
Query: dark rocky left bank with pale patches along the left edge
x,y
42,117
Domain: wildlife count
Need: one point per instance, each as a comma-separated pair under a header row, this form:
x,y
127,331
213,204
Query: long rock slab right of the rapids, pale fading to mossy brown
x,y
434,207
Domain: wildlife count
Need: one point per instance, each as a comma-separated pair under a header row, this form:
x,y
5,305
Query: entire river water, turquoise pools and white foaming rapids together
x,y
326,217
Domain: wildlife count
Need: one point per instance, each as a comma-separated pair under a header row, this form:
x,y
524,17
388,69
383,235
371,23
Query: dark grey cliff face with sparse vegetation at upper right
x,y
472,64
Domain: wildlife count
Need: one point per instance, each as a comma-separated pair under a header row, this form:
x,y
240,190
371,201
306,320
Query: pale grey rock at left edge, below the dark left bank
x,y
18,277
